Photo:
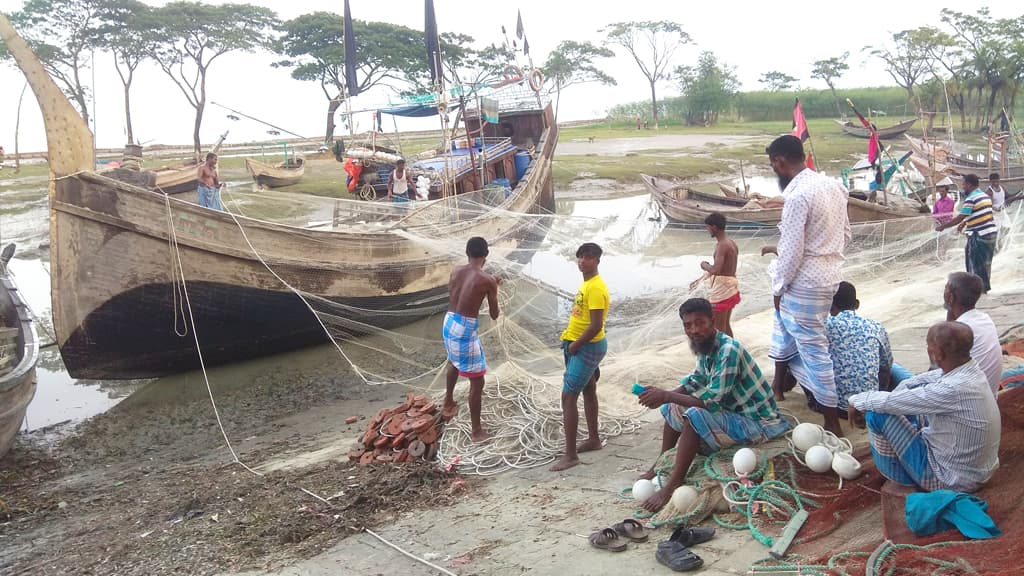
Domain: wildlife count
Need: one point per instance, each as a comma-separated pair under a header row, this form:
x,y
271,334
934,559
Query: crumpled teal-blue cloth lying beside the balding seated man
x,y
931,513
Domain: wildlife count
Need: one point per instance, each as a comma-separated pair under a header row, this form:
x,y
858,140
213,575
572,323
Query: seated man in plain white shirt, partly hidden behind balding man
x,y
962,294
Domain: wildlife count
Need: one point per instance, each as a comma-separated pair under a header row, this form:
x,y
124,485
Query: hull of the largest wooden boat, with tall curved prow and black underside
x,y
123,306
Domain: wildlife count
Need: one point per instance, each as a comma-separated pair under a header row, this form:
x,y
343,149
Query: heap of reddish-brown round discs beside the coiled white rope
x,y
407,432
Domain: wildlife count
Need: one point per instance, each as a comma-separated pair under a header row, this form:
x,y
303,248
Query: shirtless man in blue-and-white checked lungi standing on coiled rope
x,y
468,286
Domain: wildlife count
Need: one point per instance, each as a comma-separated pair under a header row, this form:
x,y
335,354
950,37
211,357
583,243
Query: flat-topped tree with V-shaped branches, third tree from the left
x,y
193,35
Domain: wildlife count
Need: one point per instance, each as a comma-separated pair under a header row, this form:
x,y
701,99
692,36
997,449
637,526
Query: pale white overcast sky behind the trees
x,y
753,37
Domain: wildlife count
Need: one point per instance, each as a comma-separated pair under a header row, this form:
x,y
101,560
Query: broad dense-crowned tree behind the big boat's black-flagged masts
x,y
389,55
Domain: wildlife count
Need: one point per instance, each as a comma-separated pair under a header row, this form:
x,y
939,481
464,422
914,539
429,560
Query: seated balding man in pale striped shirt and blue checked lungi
x,y
936,434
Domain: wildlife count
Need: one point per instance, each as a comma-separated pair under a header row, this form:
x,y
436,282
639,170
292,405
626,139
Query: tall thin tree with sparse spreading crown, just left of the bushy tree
x,y
653,46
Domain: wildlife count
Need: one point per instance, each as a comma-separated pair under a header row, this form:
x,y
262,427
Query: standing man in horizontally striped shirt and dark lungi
x,y
977,217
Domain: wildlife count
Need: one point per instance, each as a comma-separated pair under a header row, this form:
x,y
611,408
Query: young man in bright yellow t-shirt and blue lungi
x,y
584,347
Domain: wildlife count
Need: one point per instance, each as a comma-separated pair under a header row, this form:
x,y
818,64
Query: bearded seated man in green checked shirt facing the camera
x,y
727,401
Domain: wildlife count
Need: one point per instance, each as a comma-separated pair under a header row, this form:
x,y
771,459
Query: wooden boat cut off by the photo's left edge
x,y
19,354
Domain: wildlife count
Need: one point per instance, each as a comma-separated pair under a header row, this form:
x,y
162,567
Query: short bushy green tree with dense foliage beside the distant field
x,y
708,89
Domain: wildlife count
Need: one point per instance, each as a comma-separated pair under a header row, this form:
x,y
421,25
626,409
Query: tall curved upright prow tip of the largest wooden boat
x,y
69,141
